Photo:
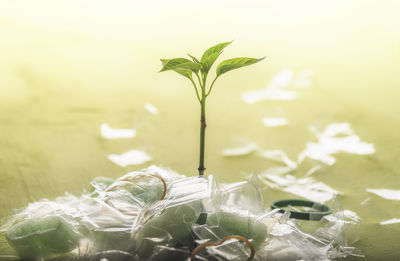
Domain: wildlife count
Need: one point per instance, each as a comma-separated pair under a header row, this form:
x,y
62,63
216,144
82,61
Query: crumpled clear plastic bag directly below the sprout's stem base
x,y
168,222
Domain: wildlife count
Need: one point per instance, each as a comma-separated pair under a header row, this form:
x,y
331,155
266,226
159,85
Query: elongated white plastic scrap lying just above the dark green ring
x,y
308,188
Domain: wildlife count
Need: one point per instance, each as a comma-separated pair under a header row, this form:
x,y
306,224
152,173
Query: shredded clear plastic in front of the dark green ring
x,y
290,239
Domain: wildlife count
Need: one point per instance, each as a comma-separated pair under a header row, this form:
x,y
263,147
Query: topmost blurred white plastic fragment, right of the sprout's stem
x,y
274,91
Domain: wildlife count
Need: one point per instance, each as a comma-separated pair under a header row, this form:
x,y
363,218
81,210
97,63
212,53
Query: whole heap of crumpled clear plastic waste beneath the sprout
x,y
157,214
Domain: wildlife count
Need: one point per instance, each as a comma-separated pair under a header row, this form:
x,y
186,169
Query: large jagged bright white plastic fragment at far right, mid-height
x,y
330,143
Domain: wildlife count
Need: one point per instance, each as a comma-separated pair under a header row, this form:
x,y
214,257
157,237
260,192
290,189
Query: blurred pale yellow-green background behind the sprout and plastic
x,y
66,67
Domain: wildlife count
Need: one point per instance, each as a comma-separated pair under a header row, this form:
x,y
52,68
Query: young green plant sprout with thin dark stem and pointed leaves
x,y
200,68
